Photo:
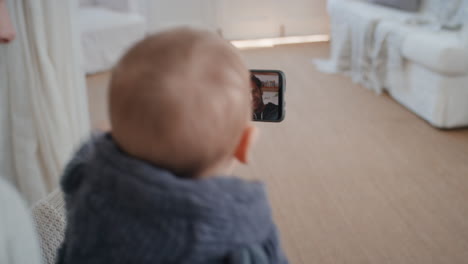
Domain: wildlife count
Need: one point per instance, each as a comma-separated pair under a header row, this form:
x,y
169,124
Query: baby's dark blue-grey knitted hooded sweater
x,y
123,210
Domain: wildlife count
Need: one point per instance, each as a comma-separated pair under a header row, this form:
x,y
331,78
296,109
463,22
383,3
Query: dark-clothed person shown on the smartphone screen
x,y
261,111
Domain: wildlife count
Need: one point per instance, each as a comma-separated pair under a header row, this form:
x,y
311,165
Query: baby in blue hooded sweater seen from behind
x,y
154,189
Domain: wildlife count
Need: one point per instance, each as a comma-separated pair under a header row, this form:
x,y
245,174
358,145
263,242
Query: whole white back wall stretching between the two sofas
x,y
242,19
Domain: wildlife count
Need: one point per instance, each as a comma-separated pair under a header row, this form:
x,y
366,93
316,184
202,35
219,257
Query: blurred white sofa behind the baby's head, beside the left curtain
x,y
108,28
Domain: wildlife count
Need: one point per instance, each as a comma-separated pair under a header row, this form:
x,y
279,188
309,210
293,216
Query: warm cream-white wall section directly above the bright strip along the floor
x,y
242,19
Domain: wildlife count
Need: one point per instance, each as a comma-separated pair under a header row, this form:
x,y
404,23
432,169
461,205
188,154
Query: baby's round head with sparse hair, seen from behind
x,y
181,100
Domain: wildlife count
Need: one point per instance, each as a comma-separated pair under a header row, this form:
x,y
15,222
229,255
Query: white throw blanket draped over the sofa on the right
x,y
367,49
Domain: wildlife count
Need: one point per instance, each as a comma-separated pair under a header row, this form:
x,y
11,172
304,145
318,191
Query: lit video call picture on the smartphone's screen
x,y
265,96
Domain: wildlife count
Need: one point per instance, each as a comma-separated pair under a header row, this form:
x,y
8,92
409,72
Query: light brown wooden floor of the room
x,y
353,177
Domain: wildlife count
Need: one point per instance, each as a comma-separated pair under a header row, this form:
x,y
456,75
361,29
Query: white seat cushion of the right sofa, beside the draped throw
x,y
441,51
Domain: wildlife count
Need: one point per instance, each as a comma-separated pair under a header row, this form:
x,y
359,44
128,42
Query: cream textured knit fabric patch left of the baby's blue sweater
x,y
49,218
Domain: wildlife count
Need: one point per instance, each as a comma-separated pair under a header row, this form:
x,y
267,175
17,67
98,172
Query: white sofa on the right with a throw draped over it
x,y
431,79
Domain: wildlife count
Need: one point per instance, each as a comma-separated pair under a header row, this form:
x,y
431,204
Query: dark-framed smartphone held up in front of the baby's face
x,y
268,87
